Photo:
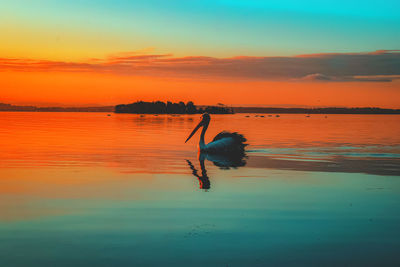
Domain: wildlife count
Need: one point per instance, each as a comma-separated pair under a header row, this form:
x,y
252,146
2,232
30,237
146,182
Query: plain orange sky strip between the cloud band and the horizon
x,y
79,88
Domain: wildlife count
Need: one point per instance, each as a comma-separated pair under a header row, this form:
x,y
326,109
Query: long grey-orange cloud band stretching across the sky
x,y
377,66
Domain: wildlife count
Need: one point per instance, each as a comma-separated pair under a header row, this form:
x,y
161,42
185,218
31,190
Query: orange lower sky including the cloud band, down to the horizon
x,y
332,79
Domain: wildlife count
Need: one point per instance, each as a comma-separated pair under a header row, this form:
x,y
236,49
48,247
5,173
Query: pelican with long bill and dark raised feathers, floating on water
x,y
224,142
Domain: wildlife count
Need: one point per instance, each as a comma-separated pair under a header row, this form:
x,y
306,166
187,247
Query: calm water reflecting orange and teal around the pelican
x,y
87,189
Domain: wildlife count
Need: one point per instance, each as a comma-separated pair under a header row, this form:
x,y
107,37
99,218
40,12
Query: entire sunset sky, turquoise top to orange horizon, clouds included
x,y
237,52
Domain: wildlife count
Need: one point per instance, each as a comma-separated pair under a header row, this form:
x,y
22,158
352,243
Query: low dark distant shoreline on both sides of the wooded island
x,y
254,110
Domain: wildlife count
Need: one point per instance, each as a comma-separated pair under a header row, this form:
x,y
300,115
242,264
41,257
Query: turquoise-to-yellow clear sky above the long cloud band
x,y
211,28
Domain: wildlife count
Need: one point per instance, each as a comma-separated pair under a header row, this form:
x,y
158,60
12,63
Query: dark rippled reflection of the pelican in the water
x,y
223,161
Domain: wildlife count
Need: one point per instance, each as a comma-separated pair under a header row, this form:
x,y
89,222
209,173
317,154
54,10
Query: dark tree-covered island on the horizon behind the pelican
x,y
159,107
